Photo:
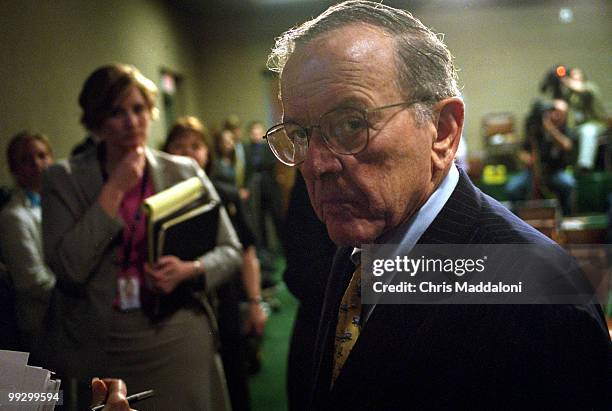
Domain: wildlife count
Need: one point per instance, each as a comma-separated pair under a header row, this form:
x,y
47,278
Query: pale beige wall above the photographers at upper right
x,y
502,53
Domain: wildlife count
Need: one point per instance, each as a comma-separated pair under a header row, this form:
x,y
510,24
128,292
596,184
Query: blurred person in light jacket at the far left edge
x,y
28,155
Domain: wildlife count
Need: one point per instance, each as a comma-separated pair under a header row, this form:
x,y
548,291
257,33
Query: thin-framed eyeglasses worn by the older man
x,y
345,131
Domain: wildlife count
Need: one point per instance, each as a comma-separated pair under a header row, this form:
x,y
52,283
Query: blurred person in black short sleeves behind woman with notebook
x,y
188,137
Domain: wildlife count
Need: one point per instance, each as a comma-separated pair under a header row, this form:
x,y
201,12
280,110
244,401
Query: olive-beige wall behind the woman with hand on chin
x,y
48,48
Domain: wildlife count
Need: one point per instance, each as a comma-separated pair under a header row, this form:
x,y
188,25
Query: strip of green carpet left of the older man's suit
x,y
268,387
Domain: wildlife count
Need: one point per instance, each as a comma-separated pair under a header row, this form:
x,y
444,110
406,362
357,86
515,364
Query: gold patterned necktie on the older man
x,y
349,322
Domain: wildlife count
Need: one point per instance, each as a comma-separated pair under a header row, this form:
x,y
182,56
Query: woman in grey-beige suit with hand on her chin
x,y
105,316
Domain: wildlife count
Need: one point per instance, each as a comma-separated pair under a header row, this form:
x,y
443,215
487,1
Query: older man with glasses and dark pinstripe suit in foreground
x,y
372,116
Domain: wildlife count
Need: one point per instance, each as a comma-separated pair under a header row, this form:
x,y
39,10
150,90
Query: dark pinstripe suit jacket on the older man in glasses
x,y
466,356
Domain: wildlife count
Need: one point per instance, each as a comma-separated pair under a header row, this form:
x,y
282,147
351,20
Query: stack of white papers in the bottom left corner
x,y
23,387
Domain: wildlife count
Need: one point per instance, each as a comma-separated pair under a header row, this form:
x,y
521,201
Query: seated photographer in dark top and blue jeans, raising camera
x,y
546,153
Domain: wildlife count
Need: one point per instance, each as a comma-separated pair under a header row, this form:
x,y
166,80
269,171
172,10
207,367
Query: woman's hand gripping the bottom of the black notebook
x,y
170,271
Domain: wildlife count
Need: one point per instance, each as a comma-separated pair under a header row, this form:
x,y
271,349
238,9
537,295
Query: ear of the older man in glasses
x,y
450,125
